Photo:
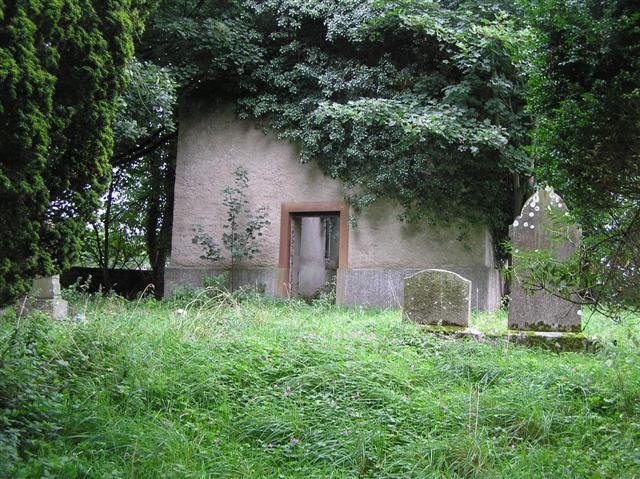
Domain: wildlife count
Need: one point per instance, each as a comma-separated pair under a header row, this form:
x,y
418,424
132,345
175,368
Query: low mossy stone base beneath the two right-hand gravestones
x,y
552,340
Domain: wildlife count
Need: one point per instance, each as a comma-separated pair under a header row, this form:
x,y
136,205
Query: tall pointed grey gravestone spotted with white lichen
x,y
540,227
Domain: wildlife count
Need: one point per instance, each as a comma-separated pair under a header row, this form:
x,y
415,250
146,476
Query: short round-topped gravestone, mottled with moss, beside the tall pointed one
x,y
438,297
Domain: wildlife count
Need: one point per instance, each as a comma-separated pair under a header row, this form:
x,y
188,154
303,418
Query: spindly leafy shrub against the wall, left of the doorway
x,y
243,228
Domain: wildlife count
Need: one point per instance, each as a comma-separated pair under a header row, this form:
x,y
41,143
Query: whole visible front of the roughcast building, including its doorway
x,y
370,260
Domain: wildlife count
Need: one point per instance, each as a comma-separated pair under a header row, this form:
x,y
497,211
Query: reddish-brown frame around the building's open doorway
x,y
287,211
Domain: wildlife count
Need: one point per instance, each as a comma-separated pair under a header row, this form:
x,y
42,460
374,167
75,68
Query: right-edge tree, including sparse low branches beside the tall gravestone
x,y
584,89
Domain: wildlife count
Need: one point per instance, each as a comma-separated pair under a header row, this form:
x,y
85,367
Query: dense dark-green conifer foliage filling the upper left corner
x,y
61,68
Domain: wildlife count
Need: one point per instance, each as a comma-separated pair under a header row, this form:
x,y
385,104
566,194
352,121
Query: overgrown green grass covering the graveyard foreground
x,y
261,388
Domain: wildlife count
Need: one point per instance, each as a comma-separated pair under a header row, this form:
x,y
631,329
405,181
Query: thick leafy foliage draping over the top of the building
x,y
415,101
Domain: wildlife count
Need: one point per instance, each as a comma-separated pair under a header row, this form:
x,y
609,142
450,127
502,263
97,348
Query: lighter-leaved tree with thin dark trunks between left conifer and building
x,y
138,207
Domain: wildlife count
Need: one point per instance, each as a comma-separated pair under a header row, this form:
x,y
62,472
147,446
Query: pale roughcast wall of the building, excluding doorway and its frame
x,y
382,249
